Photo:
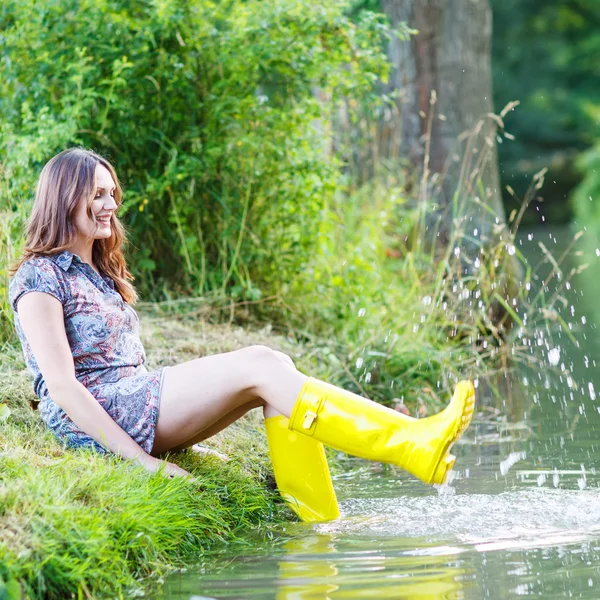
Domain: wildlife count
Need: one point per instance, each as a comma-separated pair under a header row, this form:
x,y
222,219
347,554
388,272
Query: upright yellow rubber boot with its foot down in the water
x,y
301,472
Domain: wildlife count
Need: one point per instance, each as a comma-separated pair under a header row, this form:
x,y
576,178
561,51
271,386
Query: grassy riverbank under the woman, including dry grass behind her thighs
x,y
82,525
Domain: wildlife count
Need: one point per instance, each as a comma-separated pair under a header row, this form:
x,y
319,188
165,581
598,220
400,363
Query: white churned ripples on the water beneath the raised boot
x,y
530,516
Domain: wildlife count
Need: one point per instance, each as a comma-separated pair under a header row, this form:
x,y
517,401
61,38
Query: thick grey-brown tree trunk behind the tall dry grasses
x,y
444,80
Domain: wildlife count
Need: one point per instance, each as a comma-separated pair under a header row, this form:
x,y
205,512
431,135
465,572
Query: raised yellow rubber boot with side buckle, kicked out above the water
x,y
369,430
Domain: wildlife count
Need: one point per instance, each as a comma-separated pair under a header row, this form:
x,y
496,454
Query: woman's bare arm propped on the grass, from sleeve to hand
x,y
42,320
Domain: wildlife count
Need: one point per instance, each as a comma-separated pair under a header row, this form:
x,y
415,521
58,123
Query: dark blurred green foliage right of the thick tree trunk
x,y
544,54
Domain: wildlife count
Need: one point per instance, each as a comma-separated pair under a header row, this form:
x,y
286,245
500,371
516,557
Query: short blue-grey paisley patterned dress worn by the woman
x,y
103,333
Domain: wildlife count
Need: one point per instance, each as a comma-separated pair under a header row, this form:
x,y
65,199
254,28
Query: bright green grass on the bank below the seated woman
x,y
81,522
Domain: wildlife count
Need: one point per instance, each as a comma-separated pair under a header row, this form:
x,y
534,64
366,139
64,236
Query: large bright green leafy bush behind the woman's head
x,y
211,112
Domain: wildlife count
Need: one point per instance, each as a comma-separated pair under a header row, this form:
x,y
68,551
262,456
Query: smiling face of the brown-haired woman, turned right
x,y
103,207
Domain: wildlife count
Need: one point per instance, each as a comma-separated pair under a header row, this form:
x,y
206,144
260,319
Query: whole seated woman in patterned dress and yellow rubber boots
x,y
71,295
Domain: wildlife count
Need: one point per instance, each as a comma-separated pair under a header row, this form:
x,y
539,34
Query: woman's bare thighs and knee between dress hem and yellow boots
x,y
202,396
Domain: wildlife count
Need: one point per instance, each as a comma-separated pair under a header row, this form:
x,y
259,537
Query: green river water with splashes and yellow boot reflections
x,y
521,517
